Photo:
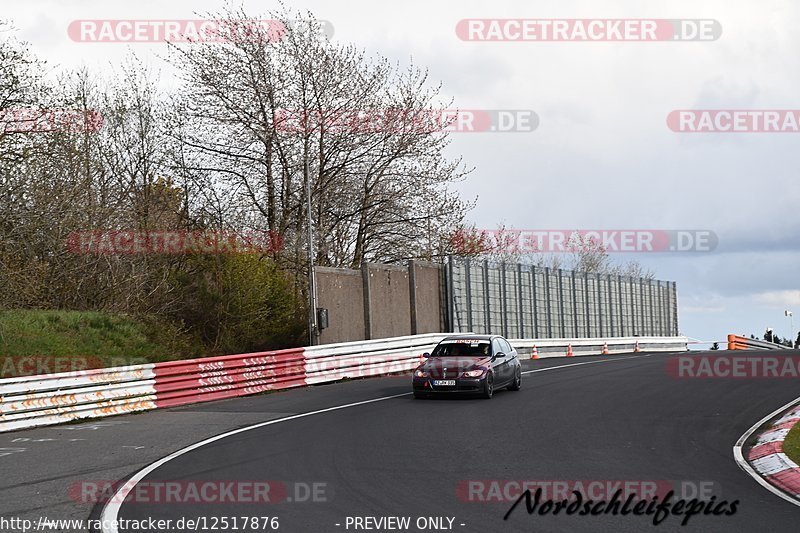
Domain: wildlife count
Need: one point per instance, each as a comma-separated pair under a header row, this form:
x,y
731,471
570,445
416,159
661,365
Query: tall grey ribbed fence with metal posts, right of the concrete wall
x,y
525,301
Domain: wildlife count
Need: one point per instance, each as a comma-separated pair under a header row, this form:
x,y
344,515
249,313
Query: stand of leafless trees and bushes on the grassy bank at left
x,y
261,121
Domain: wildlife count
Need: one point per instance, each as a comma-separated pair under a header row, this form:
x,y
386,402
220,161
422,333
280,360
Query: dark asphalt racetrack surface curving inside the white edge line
x,y
602,420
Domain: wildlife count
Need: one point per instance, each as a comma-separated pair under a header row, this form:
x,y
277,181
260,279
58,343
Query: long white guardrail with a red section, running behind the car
x,y
56,398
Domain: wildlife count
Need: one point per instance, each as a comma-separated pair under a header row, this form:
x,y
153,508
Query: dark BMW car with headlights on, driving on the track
x,y
477,364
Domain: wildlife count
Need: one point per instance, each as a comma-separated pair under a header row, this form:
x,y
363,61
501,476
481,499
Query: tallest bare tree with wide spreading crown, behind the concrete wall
x,y
268,119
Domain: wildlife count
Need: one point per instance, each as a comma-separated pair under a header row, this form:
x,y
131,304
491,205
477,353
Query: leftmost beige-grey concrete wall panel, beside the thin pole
x,y
341,292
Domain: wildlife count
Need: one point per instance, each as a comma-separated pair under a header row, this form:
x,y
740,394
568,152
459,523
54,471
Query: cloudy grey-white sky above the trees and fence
x,y
602,156
